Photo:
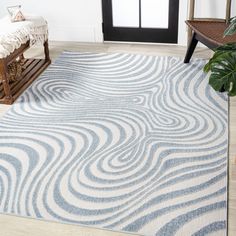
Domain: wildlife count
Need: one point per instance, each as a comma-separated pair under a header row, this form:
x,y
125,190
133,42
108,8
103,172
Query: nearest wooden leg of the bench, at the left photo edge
x,y
3,71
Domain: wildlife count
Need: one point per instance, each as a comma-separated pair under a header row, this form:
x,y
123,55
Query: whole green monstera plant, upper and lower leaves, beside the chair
x,y
222,65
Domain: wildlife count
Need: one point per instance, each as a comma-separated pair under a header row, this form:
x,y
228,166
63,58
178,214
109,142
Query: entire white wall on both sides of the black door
x,y
80,20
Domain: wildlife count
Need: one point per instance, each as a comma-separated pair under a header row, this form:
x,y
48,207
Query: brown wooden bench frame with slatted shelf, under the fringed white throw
x,y
32,68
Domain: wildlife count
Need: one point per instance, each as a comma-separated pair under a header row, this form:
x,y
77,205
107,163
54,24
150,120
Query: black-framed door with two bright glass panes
x,y
141,20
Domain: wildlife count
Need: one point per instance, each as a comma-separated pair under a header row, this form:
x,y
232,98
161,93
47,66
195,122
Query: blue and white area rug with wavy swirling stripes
x,y
124,142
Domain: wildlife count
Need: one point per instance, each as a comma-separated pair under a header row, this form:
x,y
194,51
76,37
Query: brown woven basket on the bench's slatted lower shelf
x,y
14,71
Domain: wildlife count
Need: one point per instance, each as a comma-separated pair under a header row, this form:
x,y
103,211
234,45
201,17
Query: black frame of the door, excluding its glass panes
x,y
159,35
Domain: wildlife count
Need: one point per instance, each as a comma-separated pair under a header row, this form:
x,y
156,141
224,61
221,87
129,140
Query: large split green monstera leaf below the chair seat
x,y
223,72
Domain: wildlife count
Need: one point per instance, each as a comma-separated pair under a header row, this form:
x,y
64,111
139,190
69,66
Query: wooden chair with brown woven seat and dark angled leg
x,y
208,31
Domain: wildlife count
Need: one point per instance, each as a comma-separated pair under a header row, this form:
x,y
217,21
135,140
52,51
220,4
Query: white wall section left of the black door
x,y
69,20
